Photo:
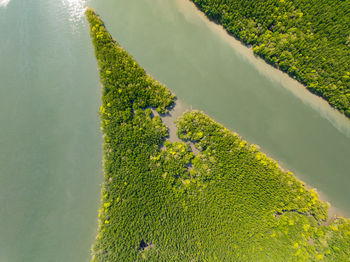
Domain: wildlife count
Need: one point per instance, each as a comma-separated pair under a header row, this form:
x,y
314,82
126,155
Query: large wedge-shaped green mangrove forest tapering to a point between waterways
x,y
161,202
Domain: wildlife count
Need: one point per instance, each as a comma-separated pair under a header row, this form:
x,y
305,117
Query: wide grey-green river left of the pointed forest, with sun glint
x,y
50,143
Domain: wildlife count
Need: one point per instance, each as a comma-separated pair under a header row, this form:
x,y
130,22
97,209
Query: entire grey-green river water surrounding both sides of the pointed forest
x,y
50,142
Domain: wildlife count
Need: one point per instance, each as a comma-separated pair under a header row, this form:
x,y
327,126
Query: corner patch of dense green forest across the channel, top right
x,y
308,39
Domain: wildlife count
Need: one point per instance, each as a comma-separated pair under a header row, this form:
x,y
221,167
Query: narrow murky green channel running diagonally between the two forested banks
x,y
213,72
